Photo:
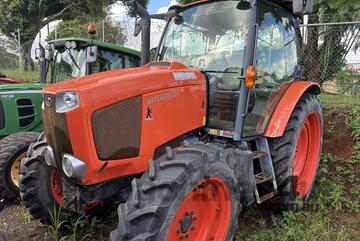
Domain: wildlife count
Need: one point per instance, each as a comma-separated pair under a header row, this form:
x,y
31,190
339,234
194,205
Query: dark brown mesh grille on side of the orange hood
x,y
117,130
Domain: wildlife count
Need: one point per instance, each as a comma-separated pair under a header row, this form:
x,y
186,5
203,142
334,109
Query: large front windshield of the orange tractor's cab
x,y
209,37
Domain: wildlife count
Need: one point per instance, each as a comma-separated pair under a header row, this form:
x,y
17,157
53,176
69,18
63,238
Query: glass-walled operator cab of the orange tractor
x,y
222,39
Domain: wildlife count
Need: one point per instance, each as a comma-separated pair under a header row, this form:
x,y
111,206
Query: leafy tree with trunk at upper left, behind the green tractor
x,y
30,16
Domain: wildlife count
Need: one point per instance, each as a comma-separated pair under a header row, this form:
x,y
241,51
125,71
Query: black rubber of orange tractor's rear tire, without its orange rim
x,y
283,151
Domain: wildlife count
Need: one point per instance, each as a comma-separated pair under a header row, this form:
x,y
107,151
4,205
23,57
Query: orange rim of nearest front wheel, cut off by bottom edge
x,y
204,214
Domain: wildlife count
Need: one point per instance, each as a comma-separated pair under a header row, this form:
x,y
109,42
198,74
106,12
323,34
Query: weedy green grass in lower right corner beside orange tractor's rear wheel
x,y
333,212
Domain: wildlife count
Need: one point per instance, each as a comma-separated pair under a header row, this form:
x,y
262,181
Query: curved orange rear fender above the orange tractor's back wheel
x,y
286,105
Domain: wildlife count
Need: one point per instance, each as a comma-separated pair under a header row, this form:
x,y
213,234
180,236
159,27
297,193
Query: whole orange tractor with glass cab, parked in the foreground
x,y
221,120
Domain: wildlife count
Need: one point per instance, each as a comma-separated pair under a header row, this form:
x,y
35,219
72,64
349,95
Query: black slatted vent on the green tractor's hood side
x,y
26,112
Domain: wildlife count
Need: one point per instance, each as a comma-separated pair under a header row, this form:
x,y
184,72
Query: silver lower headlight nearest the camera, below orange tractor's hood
x,y
73,167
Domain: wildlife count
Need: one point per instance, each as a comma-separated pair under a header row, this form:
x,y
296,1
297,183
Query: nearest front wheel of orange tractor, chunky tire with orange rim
x,y
192,194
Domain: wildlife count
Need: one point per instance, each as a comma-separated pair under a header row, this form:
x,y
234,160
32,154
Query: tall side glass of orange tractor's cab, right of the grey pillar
x,y
275,60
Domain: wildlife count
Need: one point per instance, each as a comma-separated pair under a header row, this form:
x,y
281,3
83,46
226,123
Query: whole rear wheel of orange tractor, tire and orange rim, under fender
x,y
296,154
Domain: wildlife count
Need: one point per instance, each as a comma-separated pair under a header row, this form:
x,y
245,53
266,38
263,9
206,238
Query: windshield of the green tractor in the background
x,y
69,64
